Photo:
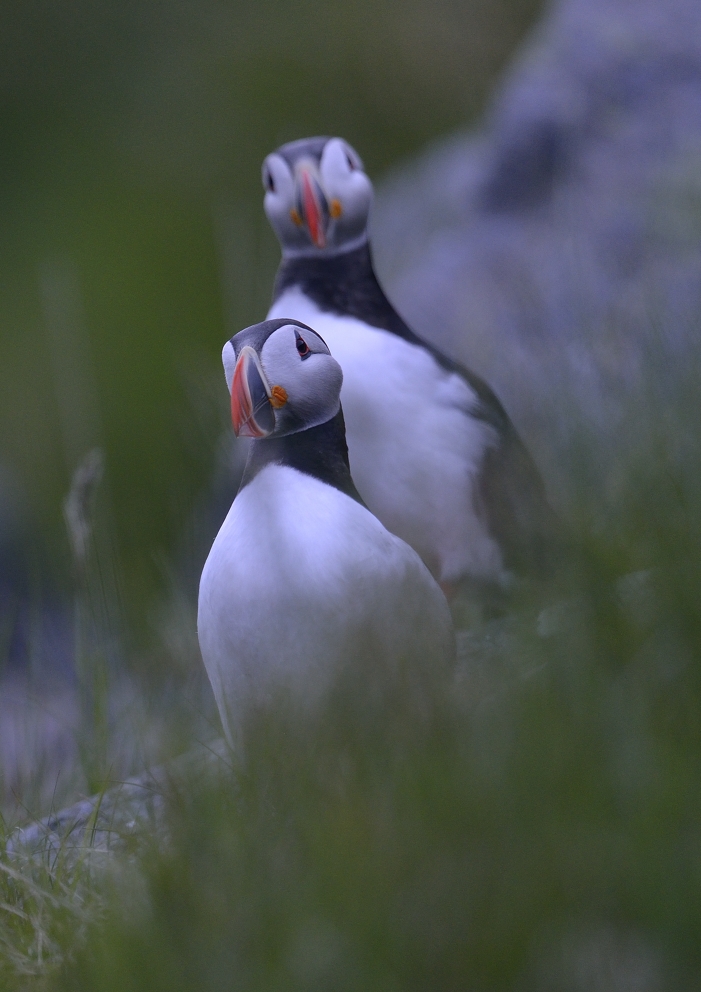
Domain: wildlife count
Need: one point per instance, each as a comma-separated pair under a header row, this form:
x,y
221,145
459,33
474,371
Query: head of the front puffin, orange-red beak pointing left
x,y
282,379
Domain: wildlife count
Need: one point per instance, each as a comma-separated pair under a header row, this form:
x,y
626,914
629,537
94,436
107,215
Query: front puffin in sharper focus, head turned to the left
x,y
302,579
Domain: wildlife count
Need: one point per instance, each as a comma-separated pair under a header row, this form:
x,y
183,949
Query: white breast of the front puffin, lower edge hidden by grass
x,y
300,579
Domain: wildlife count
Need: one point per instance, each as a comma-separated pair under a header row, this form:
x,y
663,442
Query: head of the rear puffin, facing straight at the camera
x,y
317,196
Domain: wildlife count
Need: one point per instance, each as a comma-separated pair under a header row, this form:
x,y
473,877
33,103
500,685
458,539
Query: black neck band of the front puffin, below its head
x,y
320,452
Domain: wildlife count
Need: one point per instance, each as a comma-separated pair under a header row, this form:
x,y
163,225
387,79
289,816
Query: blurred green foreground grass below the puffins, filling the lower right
x,y
548,798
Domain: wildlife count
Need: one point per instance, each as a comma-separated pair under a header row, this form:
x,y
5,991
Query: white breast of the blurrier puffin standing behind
x,y
415,452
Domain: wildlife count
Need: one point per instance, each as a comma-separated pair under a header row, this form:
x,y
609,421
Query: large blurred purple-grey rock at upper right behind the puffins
x,y
558,253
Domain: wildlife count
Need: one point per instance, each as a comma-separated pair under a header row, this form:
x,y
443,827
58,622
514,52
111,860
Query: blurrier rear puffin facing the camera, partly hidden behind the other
x,y
432,451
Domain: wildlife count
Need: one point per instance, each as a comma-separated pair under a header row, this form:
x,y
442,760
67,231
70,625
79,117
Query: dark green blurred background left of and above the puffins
x,y
133,237
